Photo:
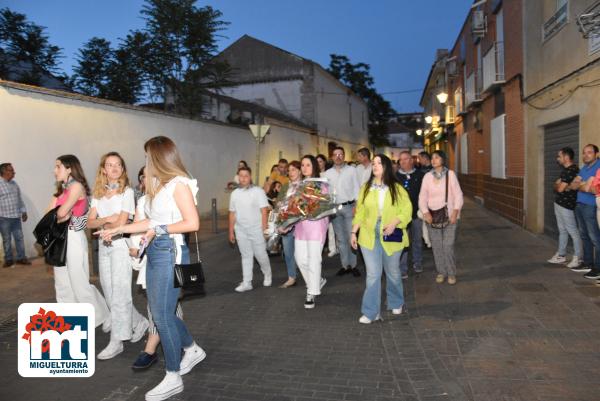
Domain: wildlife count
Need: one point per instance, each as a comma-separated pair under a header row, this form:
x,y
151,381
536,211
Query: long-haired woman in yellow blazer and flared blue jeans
x,y
382,207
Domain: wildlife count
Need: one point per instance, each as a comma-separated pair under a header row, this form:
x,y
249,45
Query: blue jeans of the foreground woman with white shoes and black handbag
x,y
162,298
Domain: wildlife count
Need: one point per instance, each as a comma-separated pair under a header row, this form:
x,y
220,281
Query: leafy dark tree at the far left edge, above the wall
x,y
25,50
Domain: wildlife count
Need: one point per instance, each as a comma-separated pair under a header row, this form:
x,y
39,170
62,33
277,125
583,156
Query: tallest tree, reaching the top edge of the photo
x,y
182,43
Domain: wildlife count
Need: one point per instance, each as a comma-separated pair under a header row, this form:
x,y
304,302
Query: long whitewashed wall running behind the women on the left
x,y
36,128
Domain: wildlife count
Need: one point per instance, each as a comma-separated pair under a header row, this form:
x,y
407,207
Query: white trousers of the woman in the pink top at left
x,y
72,282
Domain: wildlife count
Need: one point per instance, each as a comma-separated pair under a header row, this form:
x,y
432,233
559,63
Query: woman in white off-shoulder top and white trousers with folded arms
x,y
112,204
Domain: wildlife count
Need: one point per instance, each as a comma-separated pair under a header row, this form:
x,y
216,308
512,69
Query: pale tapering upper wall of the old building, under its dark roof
x,y
280,95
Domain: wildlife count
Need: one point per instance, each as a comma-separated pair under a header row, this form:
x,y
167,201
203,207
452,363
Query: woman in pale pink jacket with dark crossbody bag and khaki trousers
x,y
440,189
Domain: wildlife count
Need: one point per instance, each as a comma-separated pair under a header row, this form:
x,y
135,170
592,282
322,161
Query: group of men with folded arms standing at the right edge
x,y
577,211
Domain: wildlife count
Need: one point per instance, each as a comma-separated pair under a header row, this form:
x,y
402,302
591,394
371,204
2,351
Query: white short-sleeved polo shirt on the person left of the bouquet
x,y
247,203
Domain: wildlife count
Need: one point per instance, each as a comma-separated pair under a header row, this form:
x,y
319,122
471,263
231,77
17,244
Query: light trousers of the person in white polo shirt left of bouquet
x,y
251,243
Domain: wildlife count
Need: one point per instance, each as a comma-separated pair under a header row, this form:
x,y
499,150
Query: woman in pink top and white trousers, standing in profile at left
x,y
72,281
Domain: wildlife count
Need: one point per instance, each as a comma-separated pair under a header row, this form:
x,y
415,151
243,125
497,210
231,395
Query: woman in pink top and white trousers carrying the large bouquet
x,y
309,240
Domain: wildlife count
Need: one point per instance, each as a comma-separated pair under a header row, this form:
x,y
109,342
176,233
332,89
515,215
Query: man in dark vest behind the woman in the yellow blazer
x,y
411,179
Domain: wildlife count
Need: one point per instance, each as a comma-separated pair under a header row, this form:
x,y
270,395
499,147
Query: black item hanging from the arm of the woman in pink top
x,y
52,236
